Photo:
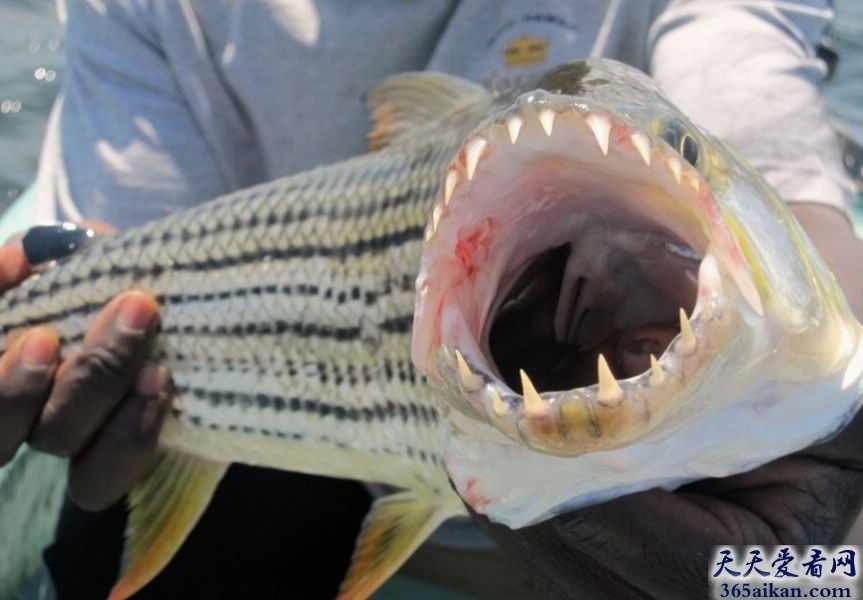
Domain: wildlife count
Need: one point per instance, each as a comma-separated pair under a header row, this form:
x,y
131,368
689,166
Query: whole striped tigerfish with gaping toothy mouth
x,y
526,305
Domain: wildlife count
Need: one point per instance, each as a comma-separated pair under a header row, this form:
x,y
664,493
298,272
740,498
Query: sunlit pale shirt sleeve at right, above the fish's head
x,y
747,71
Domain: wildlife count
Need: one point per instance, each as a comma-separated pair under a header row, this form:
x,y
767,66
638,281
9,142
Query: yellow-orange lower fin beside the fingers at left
x,y
164,507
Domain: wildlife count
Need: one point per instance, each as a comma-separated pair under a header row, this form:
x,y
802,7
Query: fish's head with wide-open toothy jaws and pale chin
x,y
602,278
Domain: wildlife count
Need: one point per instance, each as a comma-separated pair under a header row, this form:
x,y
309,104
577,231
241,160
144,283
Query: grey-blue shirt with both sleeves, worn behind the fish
x,y
169,103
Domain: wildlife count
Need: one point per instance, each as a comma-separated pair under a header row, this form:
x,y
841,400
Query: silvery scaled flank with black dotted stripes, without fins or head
x,y
286,307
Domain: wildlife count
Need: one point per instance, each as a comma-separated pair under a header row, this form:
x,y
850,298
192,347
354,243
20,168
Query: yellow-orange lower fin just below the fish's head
x,y
394,528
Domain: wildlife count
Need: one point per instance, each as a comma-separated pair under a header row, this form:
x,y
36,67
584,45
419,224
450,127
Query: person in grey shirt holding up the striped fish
x,y
194,101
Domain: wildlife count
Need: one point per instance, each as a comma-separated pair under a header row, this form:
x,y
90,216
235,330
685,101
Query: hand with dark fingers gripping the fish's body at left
x,y
101,406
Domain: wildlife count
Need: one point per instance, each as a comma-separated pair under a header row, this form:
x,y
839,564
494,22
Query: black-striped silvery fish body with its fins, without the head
x,y
287,311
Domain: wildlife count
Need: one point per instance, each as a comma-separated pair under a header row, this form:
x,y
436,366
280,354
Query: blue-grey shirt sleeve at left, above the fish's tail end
x,y
127,145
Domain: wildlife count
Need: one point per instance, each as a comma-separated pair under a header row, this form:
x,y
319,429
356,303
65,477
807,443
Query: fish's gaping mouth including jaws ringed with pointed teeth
x,y
582,260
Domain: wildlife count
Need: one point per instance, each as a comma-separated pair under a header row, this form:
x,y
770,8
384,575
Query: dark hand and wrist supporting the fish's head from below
x,y
659,544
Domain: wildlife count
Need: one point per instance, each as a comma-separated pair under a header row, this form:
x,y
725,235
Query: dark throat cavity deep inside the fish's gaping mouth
x,y
577,300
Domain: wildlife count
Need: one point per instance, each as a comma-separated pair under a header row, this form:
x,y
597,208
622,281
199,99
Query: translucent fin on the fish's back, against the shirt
x,y
406,102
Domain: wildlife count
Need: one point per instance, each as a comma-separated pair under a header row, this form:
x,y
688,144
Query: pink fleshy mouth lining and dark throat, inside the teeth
x,y
564,262
